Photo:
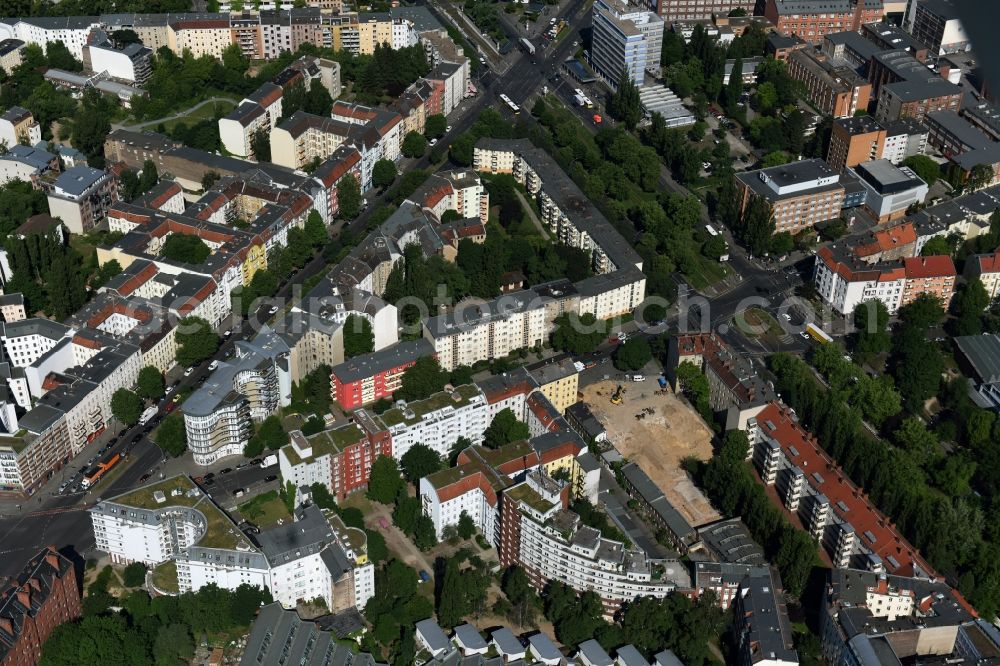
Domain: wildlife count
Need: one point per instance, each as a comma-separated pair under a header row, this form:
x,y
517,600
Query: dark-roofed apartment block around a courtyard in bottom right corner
x,y
872,617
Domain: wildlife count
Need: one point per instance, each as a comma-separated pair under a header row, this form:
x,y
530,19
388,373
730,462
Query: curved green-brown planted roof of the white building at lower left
x,y
220,531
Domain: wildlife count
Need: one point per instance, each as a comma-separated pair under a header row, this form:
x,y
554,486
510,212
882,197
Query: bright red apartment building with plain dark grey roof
x,y
370,377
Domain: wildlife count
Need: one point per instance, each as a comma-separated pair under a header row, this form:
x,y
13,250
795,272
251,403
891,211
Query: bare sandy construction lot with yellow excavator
x,y
658,441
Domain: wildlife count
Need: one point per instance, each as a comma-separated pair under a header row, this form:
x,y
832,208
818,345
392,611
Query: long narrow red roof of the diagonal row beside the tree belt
x,y
863,517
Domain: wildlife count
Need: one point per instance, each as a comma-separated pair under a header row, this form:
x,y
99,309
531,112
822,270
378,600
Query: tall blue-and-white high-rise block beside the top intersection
x,y
625,39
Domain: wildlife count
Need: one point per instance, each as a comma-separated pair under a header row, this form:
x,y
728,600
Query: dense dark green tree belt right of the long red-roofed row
x,y
911,480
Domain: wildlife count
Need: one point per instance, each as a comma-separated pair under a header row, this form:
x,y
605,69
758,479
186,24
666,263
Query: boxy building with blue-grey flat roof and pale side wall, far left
x,y
81,197
